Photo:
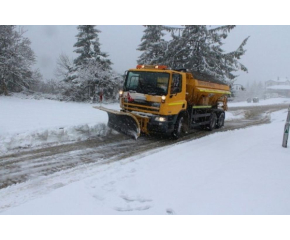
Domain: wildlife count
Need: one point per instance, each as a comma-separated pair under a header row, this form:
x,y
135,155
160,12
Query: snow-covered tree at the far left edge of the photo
x,y
16,60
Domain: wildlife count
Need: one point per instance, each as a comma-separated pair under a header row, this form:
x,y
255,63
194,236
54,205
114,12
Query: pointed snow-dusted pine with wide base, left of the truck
x,y
91,71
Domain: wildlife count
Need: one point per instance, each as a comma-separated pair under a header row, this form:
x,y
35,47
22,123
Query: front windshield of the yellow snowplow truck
x,y
152,83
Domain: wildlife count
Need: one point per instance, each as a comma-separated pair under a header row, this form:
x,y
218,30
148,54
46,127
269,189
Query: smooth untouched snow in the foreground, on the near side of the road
x,y
244,172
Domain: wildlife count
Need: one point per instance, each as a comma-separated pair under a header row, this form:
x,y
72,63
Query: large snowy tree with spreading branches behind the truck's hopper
x,y
199,49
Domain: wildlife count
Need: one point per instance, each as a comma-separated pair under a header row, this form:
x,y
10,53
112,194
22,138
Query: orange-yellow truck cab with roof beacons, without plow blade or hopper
x,y
156,96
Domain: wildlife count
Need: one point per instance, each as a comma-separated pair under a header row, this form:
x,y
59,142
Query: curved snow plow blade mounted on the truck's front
x,y
122,122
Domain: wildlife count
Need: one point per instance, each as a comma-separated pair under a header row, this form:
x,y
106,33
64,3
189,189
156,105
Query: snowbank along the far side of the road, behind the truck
x,y
27,122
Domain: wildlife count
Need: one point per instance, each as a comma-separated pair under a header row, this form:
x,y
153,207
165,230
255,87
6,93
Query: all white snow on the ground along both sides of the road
x,y
236,172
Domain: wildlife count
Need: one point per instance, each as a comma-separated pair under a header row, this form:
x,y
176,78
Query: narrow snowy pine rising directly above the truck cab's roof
x,y
152,45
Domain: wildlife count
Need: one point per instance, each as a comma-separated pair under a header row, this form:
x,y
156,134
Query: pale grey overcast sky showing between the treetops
x,y
267,56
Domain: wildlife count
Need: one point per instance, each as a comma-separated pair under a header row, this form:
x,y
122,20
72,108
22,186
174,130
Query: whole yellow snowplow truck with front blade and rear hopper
x,y
158,100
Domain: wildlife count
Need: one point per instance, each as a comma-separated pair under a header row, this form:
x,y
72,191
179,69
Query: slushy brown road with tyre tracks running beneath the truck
x,y
41,162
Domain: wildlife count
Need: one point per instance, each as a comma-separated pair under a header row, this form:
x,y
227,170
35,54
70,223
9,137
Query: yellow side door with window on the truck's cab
x,y
177,94
